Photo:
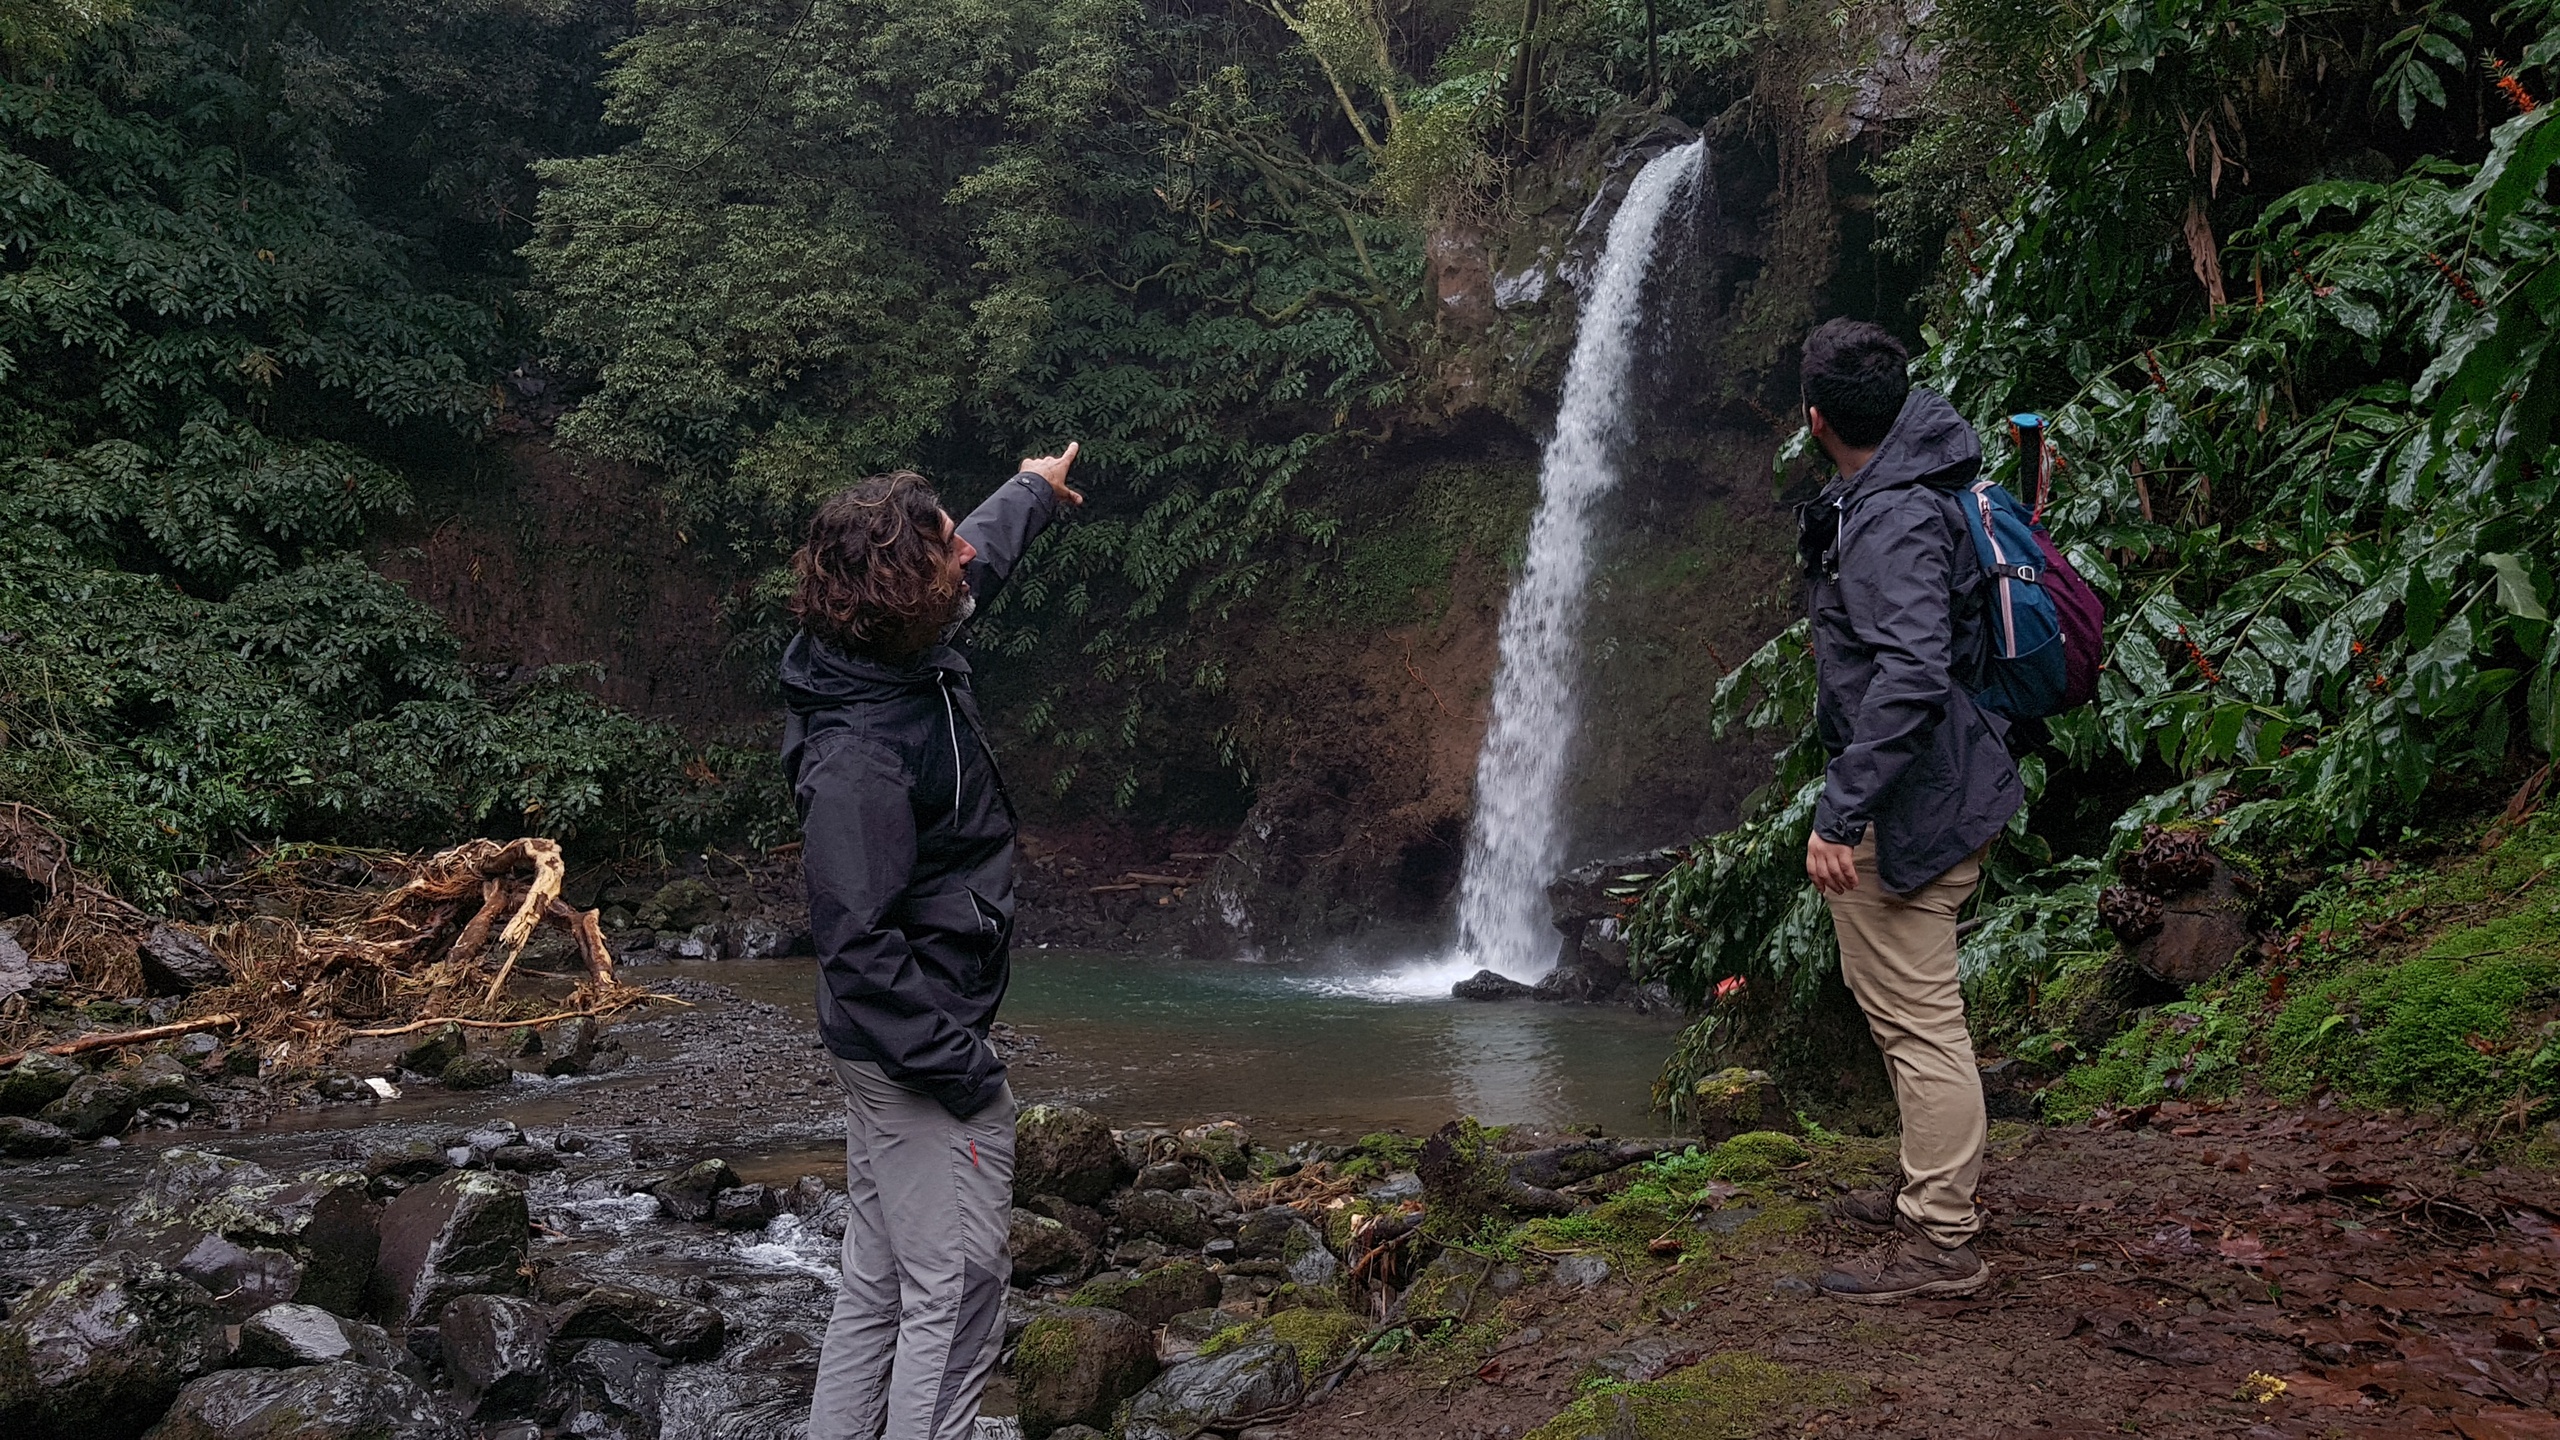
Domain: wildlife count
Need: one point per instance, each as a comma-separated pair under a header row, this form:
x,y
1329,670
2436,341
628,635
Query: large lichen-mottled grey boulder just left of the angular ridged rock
x,y
234,1226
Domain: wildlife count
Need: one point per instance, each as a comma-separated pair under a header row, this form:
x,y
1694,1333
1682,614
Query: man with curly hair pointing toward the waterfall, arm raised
x,y
910,865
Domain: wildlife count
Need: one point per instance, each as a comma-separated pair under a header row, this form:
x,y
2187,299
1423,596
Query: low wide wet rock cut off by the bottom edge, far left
x,y
311,1403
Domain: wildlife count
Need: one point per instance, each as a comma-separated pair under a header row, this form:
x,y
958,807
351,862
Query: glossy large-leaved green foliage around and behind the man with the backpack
x,y
2285,283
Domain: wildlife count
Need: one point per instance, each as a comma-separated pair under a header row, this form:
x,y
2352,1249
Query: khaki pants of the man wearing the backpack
x,y
1898,957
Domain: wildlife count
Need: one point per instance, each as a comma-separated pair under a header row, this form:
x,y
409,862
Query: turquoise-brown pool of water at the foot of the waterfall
x,y
1297,1052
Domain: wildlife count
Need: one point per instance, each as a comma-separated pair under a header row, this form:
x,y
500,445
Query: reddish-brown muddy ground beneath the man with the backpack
x,y
2152,1280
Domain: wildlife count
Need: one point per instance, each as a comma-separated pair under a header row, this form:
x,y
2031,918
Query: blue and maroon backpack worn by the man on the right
x,y
2044,619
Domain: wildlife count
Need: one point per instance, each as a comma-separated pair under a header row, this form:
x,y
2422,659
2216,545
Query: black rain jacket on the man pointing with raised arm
x,y
910,839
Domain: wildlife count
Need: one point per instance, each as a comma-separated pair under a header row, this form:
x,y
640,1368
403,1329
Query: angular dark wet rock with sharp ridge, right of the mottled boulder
x,y
462,1234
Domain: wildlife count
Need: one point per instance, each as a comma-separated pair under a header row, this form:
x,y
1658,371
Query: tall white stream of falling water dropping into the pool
x,y
1519,778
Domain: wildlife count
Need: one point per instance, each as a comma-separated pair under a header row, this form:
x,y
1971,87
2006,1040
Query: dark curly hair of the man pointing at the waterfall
x,y
872,578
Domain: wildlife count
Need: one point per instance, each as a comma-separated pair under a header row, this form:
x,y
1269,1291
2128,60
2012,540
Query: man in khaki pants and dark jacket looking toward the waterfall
x,y
1916,788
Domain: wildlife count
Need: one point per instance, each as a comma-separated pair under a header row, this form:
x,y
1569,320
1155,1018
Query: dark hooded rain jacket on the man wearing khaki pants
x,y
1898,634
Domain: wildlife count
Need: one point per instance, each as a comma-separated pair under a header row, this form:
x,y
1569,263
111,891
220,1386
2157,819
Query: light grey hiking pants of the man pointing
x,y
920,1316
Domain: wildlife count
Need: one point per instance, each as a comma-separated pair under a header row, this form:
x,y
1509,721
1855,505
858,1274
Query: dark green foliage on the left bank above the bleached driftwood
x,y
255,263
